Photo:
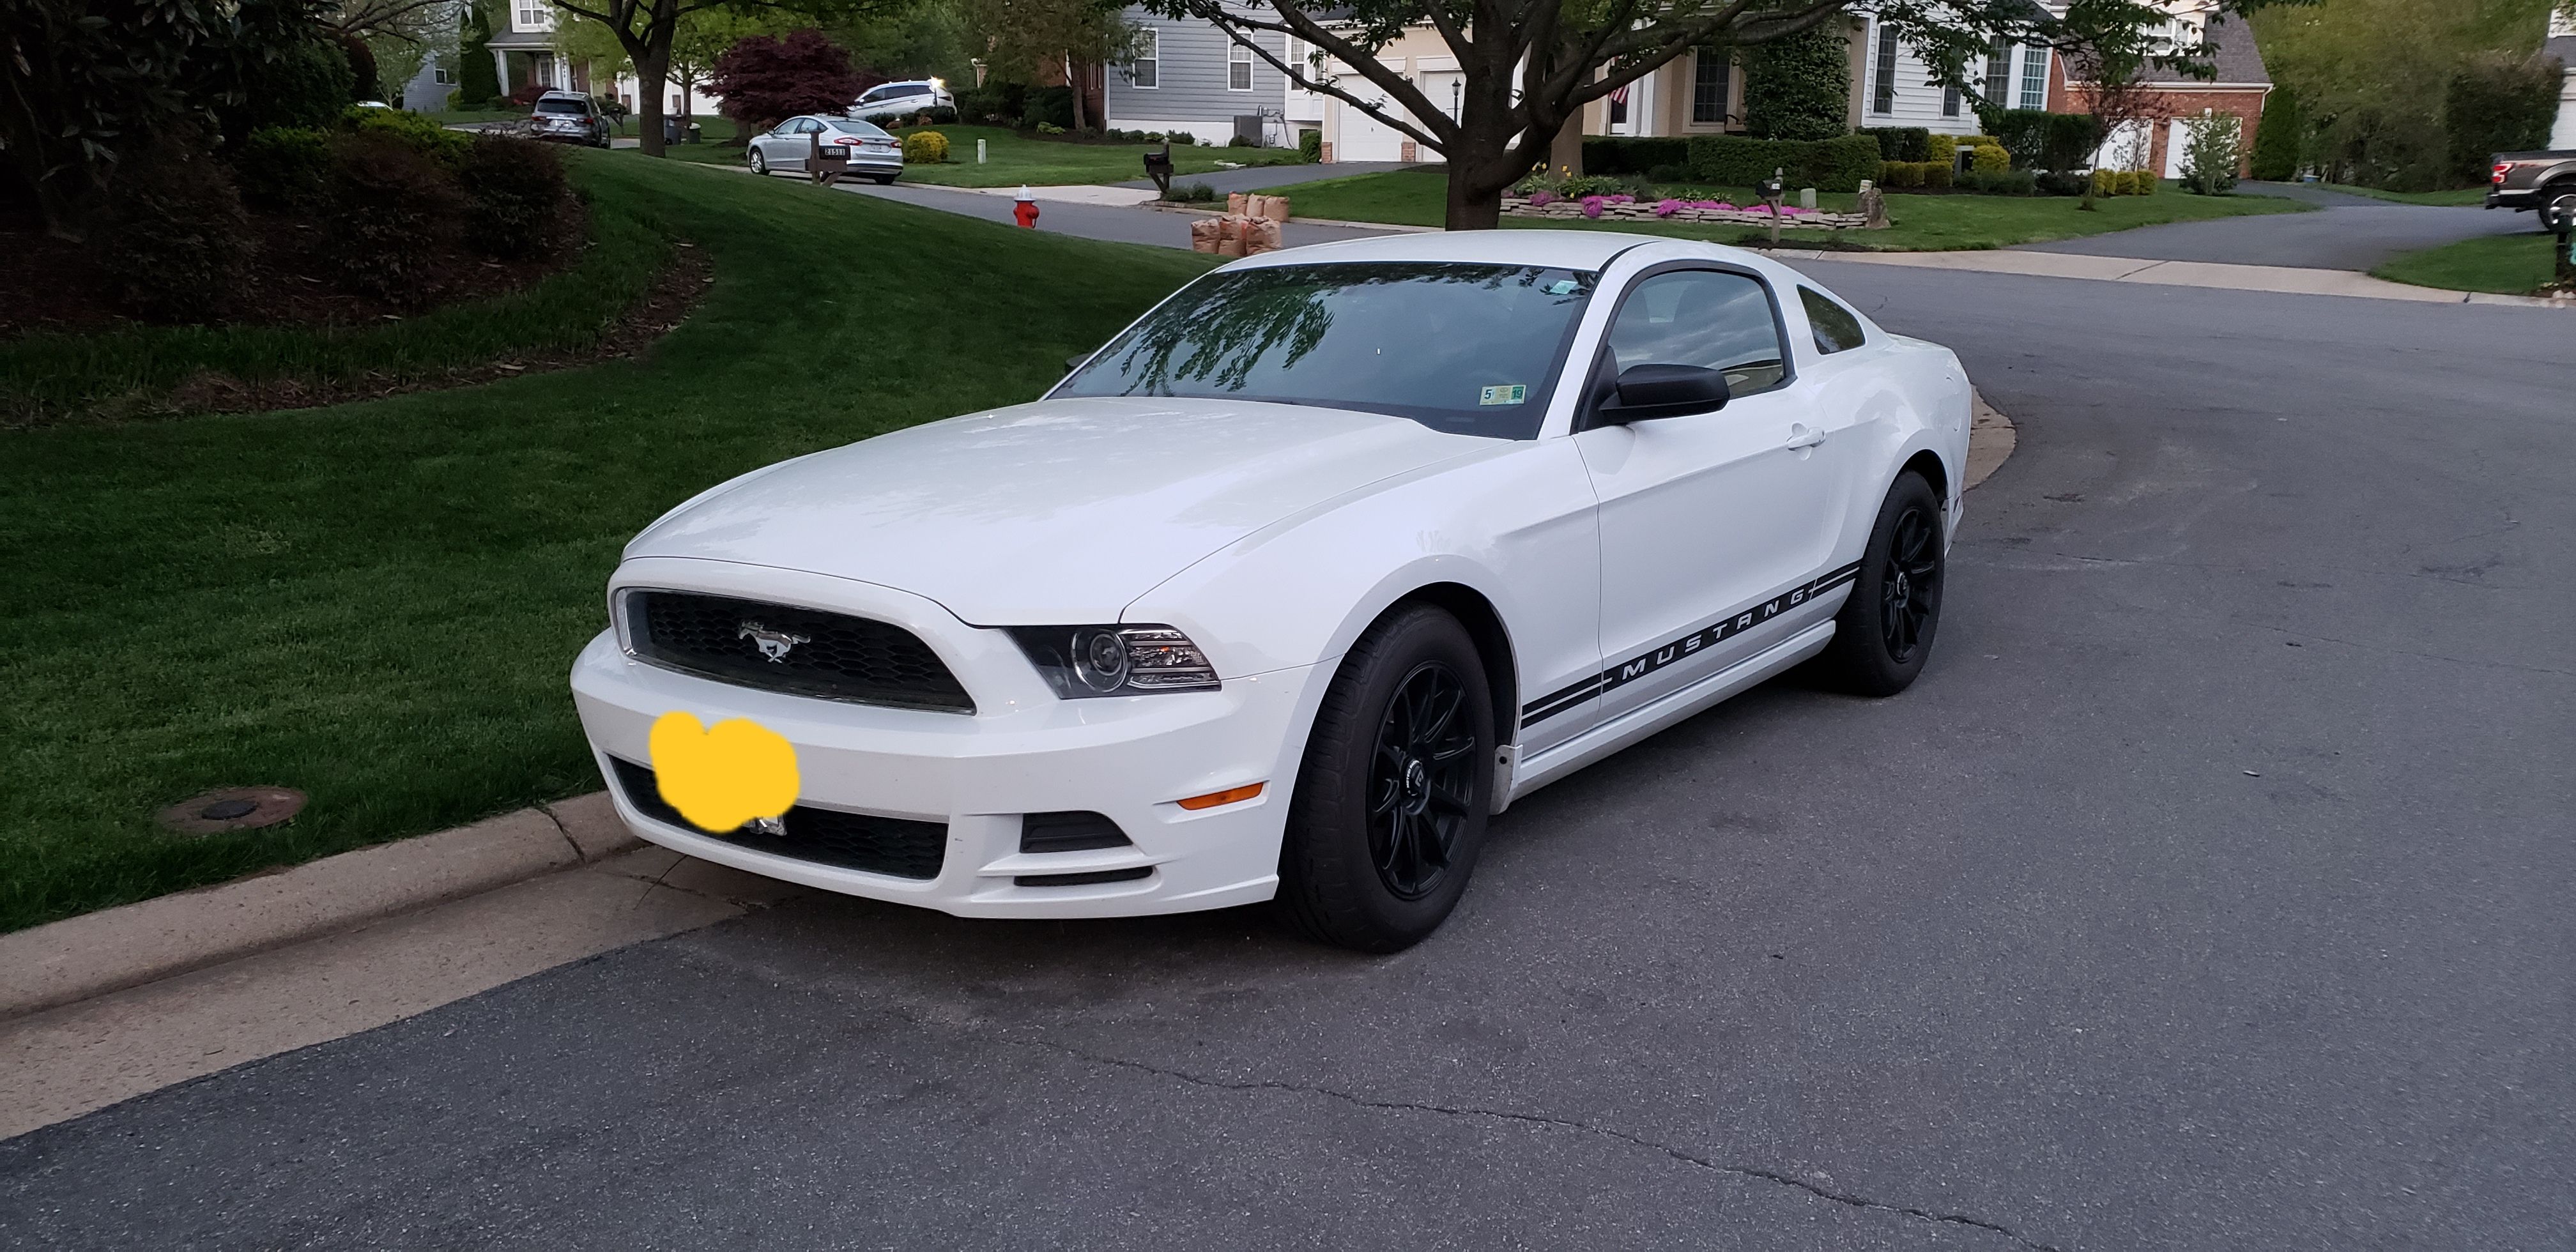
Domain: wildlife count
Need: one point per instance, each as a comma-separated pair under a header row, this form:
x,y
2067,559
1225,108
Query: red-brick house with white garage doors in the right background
x,y
2173,99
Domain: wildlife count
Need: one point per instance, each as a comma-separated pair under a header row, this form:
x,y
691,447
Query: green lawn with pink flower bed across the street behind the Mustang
x,y
1920,223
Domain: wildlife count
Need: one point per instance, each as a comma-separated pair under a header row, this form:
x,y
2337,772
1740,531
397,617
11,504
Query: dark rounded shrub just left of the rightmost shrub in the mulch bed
x,y
390,218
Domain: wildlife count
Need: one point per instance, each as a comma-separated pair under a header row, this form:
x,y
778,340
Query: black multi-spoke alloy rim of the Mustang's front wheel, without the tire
x,y
1421,782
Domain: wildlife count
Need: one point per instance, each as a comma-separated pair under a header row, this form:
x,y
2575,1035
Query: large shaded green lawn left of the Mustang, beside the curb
x,y
380,602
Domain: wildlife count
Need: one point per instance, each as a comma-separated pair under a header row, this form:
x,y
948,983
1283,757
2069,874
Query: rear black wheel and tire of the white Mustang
x,y
1884,632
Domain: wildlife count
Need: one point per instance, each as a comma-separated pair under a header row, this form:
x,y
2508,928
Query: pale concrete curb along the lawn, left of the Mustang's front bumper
x,y
158,939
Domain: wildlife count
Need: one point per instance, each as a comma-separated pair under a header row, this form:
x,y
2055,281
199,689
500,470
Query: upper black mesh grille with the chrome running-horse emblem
x,y
810,653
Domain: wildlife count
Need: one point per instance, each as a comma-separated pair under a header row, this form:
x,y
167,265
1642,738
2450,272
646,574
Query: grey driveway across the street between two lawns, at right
x,y
2348,233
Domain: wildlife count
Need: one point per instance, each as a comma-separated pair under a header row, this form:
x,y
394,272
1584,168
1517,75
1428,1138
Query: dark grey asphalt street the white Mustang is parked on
x,y
2211,890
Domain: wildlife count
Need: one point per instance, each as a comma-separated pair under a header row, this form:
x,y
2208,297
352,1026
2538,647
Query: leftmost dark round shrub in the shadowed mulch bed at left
x,y
174,241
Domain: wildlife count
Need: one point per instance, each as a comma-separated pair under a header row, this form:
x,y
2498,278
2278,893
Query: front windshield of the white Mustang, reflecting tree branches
x,y
1462,349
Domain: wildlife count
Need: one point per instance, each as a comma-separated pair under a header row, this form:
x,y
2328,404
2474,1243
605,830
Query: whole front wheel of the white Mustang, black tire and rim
x,y
1392,800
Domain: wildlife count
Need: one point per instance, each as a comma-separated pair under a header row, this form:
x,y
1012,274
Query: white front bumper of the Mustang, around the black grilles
x,y
1024,751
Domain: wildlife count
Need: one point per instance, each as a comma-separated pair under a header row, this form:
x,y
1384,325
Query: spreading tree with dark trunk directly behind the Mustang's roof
x,y
1531,66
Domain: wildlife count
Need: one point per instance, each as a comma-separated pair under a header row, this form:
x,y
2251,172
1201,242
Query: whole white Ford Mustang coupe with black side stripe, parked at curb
x,y
1300,578
